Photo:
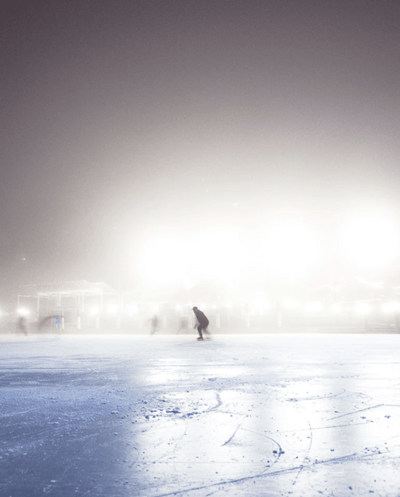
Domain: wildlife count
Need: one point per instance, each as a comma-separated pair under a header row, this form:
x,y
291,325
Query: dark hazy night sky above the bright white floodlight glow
x,y
125,119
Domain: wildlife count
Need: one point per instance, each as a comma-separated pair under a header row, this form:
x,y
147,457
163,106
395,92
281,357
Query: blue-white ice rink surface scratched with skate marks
x,y
256,415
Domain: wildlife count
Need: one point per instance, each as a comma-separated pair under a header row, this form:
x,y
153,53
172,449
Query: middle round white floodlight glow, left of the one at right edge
x,y
289,249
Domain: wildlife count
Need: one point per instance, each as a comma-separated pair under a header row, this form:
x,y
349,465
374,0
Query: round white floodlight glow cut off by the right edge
x,y
370,241
